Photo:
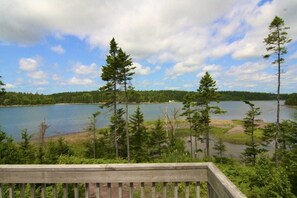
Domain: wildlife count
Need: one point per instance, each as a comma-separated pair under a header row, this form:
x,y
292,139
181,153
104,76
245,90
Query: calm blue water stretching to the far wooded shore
x,y
69,118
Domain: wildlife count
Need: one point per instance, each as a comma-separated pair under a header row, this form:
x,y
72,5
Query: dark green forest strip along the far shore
x,y
16,98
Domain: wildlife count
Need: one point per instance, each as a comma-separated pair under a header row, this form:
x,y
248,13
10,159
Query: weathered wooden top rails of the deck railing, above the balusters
x,y
218,184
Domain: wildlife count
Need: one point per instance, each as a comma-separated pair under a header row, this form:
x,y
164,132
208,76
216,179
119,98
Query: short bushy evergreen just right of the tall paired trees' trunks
x,y
139,137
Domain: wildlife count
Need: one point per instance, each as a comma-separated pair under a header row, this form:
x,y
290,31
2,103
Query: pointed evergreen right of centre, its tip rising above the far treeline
x,y
206,93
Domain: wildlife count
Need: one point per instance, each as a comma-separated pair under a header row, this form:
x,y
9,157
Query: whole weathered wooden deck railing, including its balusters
x,y
94,177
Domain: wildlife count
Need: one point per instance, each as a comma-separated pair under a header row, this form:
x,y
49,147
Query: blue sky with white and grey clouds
x,y
53,46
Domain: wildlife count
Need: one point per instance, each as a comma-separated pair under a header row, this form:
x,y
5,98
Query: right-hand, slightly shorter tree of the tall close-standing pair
x,y
125,77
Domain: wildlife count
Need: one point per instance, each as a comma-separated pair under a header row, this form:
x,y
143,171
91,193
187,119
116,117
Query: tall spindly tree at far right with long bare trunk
x,y
276,42
